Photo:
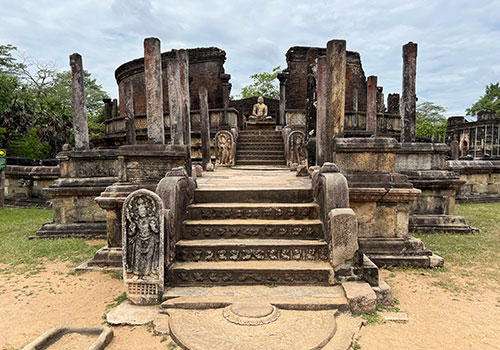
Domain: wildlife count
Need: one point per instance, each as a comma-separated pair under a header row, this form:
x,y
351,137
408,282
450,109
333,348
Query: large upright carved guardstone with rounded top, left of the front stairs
x,y
143,242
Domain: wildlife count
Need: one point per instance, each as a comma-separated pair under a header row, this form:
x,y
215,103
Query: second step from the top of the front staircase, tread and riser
x,y
275,211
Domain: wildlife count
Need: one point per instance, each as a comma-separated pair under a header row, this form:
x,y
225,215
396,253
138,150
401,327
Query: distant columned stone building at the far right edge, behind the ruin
x,y
477,139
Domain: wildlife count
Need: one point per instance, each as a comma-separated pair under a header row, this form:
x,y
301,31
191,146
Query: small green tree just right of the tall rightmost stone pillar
x,y
430,121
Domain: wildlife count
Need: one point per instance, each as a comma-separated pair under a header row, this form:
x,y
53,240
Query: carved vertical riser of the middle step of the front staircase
x,y
296,231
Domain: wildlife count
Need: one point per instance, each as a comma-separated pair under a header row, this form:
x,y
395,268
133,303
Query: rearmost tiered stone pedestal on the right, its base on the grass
x,y
425,166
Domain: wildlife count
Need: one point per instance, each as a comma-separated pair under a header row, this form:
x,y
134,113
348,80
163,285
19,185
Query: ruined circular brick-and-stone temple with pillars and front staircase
x,y
318,188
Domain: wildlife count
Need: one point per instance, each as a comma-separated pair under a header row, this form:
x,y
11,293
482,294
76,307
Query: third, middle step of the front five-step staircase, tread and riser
x,y
253,228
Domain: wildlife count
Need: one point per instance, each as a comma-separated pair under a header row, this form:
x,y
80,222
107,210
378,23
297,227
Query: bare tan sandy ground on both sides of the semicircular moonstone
x,y
439,319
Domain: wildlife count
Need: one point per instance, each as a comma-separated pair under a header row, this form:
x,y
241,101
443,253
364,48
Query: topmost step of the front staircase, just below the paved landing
x,y
253,195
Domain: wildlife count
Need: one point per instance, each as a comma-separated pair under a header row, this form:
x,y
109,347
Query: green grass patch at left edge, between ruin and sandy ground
x,y
27,256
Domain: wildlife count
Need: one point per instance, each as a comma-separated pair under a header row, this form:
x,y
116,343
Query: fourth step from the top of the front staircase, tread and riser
x,y
251,249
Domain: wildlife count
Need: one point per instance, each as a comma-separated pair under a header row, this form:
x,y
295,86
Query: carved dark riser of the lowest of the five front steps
x,y
181,277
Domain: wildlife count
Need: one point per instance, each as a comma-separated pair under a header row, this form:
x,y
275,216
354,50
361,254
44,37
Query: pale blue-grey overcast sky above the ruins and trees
x,y
458,53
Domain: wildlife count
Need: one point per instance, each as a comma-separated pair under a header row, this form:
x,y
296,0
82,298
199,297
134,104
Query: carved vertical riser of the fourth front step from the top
x,y
259,253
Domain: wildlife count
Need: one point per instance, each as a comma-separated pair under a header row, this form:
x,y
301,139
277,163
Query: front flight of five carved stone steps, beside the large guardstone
x,y
252,236
